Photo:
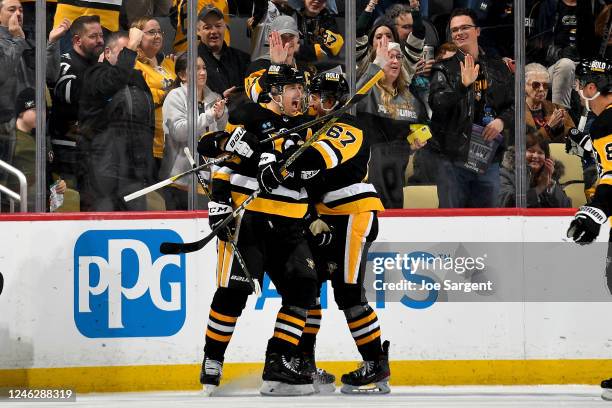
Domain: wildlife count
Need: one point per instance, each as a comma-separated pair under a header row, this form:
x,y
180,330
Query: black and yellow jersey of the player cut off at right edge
x,y
601,137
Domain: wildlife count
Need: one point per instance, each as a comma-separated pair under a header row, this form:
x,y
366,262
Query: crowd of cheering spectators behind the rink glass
x,y
116,86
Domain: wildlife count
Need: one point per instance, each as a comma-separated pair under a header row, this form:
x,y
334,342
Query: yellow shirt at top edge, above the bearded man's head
x,y
108,10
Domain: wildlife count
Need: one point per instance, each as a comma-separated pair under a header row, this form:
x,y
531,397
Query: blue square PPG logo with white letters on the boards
x,y
124,287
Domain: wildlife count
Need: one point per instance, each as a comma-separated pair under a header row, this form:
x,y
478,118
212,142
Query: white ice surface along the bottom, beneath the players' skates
x,y
413,397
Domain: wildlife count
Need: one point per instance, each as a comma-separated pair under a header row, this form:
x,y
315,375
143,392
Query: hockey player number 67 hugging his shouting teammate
x,y
335,170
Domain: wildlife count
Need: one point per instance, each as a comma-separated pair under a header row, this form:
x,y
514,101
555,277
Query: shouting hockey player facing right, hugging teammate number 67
x,y
269,235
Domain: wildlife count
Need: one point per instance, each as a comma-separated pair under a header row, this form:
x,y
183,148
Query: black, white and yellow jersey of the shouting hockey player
x,y
240,176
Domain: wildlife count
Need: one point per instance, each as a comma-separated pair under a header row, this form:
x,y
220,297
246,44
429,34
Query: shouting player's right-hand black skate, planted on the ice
x,y
282,378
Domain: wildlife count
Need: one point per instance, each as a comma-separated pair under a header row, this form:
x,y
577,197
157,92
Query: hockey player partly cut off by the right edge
x,y
595,77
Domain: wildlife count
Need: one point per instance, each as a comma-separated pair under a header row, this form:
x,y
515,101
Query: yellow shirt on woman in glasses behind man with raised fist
x,y
160,80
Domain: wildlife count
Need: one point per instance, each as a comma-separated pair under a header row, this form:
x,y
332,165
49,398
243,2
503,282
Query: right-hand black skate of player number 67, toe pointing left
x,y
372,377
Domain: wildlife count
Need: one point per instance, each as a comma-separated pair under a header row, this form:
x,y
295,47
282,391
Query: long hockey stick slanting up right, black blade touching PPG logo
x,y
176,248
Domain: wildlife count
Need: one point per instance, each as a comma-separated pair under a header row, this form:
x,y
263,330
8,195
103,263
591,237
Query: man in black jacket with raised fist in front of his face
x,y
117,125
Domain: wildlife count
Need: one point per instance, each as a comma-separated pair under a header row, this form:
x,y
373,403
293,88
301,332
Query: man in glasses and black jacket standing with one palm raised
x,y
472,100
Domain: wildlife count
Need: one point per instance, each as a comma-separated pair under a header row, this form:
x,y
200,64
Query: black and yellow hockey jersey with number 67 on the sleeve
x,y
335,169
